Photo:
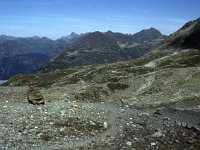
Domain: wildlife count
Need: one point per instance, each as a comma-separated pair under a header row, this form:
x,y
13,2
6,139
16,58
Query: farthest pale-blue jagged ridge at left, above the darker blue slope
x,y
10,46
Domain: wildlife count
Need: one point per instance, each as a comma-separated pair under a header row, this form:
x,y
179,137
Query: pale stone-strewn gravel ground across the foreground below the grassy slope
x,y
64,124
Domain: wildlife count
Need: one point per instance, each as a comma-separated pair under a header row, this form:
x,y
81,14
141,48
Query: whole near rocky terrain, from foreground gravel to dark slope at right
x,y
149,103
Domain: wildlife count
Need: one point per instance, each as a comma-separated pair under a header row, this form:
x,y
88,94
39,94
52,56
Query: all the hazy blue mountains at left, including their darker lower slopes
x,y
25,55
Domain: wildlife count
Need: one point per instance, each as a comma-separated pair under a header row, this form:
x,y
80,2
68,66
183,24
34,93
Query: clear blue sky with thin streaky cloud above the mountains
x,y
57,18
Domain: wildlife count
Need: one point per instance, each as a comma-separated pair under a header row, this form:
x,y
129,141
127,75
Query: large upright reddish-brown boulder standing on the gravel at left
x,y
34,96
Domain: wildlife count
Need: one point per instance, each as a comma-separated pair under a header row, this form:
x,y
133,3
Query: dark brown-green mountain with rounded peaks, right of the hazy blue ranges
x,y
98,47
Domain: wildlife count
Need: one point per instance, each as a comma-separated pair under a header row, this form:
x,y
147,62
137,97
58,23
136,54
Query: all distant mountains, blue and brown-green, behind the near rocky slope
x,y
25,55
